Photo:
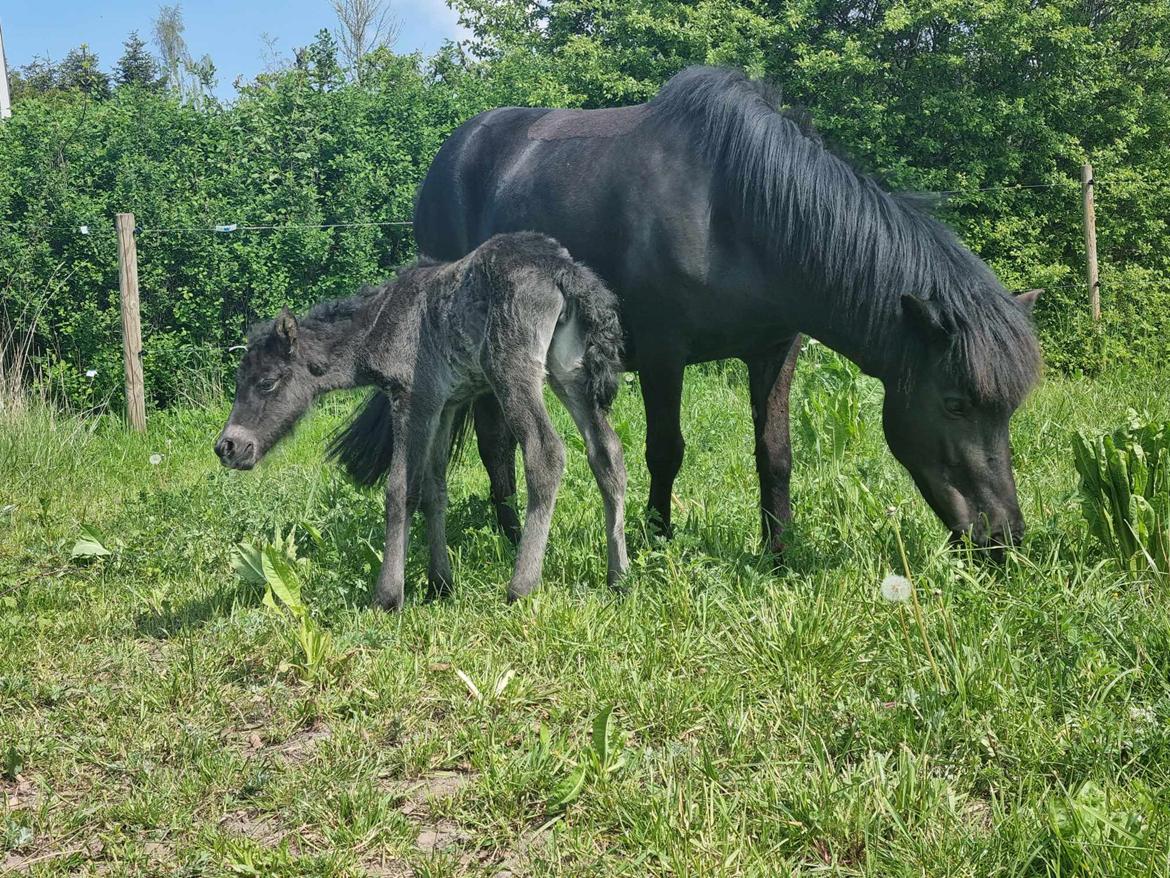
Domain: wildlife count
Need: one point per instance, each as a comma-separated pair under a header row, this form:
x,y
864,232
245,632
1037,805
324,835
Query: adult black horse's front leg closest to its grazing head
x,y
770,382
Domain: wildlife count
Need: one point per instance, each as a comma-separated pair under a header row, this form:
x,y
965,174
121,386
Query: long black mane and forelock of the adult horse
x,y
844,234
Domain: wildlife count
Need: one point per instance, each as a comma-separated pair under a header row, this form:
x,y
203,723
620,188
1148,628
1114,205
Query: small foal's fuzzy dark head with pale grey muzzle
x,y
274,387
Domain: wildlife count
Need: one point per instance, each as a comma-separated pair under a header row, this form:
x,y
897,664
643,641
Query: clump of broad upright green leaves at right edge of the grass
x,y
1126,492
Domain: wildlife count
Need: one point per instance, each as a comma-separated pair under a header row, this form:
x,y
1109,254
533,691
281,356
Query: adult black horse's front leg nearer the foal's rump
x,y
662,381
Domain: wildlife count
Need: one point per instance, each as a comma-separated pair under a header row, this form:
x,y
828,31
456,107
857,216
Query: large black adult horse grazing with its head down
x,y
727,229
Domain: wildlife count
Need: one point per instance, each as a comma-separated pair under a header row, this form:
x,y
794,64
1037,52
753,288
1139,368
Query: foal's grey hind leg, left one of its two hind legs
x,y
519,383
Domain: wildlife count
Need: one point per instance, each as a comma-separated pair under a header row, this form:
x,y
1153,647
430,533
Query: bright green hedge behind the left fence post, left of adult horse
x,y
298,148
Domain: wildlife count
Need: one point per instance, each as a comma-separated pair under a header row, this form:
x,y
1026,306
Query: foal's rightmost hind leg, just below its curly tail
x,y
609,467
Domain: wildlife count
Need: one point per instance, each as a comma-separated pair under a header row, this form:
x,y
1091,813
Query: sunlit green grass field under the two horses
x,y
720,718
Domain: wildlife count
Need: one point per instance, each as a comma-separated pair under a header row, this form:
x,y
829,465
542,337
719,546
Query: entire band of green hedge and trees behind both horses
x,y
940,95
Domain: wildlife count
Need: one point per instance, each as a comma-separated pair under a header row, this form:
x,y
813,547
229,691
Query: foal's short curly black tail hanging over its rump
x,y
597,307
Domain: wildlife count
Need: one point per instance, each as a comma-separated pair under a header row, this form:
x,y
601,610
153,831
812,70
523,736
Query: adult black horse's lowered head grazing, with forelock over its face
x,y
946,416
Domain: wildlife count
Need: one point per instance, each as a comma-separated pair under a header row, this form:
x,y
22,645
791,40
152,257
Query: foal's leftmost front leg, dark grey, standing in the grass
x,y
415,428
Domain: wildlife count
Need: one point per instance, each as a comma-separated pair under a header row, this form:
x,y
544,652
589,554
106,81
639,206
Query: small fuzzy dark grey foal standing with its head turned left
x,y
433,340
